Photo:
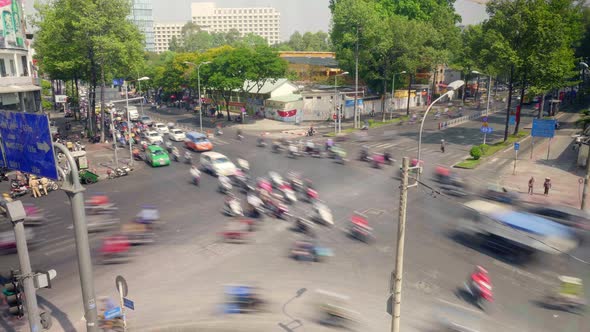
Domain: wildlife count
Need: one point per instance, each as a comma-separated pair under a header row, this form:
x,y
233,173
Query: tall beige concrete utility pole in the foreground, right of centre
x,y
401,235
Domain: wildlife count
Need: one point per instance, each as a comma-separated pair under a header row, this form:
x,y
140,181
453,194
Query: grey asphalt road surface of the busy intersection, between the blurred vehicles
x,y
179,280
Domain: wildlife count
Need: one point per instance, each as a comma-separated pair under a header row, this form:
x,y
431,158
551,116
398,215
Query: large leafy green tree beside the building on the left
x,y
90,40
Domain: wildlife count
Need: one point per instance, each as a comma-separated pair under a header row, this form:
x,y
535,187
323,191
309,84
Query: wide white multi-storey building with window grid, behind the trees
x,y
262,21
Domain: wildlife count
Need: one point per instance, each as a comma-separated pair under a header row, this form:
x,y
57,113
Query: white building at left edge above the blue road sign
x,y
18,89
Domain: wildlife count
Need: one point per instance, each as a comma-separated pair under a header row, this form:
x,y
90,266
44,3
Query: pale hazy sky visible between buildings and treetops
x,y
301,15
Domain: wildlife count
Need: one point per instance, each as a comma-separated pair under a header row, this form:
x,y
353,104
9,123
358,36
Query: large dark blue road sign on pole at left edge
x,y
26,143
